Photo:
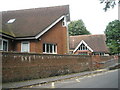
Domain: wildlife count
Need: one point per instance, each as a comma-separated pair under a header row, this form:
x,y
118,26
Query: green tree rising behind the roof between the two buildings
x,y
77,28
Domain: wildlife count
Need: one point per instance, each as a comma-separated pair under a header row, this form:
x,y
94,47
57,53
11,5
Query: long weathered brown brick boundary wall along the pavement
x,y
26,66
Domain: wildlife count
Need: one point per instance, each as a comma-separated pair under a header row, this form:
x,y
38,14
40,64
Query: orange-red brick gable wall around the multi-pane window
x,y
57,35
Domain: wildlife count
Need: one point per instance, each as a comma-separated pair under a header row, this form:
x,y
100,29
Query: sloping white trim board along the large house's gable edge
x,y
44,31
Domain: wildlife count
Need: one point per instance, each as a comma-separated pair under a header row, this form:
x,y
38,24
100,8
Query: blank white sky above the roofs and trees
x,y
90,11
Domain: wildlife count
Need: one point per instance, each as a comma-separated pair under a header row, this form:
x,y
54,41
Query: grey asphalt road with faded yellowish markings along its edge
x,y
107,79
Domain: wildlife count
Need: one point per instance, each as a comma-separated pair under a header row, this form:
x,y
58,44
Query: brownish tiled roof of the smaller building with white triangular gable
x,y
95,42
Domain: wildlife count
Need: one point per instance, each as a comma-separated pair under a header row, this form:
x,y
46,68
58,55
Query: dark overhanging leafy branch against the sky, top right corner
x,y
109,3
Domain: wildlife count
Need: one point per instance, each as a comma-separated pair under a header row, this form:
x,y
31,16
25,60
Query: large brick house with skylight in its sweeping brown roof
x,y
38,30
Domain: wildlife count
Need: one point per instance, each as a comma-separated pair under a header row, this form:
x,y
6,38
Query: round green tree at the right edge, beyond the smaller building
x,y
112,32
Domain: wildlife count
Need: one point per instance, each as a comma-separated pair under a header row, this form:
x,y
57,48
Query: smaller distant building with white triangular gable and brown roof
x,y
88,45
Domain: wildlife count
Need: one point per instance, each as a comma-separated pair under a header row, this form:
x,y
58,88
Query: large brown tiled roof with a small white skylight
x,y
30,22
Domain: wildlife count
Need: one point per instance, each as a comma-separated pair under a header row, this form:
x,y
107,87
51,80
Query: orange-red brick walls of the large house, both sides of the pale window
x,y
56,34
